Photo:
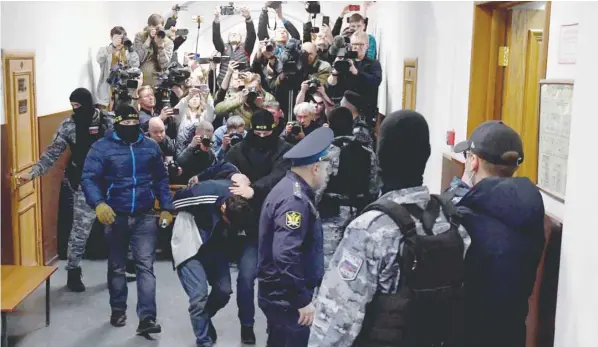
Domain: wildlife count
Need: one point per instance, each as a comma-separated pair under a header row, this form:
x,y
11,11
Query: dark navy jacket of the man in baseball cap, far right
x,y
505,219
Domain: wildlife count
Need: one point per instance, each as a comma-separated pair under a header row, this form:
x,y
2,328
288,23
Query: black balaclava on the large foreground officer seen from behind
x,y
403,150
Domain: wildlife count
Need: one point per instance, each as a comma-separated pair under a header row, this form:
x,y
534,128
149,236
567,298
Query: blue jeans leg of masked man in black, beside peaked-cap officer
x,y
247,266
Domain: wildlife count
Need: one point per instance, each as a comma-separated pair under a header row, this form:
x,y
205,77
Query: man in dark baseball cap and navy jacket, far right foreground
x,y
505,218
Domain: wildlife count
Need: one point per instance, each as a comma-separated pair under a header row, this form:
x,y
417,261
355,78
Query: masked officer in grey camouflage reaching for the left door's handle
x,y
86,125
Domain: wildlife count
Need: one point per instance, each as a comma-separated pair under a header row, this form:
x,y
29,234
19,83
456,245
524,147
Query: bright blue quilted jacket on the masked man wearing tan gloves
x,y
127,177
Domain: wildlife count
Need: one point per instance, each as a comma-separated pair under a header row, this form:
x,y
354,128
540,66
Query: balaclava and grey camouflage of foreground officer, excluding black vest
x,y
366,261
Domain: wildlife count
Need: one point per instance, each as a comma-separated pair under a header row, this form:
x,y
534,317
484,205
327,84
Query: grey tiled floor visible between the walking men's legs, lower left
x,y
81,319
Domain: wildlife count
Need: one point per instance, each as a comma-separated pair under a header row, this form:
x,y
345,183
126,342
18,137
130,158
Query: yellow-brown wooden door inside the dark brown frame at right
x,y
519,107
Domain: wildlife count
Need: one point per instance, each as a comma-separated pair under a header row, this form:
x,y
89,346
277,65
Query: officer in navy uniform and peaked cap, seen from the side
x,y
290,258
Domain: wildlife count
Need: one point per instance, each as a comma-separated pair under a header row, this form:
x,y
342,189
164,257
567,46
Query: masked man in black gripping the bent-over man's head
x,y
260,158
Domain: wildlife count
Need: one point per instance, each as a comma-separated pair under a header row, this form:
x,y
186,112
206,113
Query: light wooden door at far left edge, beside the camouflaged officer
x,y
19,103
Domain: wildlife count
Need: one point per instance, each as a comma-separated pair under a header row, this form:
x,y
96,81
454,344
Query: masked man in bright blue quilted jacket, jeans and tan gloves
x,y
122,175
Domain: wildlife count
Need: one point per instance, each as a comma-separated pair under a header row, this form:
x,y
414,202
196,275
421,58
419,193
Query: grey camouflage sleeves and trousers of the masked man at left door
x,y
83,215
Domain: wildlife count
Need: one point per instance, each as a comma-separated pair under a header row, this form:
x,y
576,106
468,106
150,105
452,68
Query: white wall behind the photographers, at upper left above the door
x,y
66,36
